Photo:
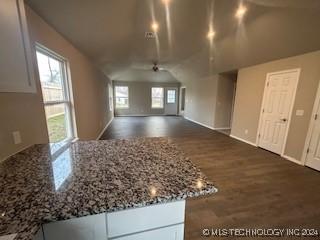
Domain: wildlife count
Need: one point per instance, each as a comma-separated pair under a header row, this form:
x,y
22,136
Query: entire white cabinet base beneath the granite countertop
x,y
157,222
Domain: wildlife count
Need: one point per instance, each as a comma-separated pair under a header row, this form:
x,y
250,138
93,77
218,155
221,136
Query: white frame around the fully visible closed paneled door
x,y
298,71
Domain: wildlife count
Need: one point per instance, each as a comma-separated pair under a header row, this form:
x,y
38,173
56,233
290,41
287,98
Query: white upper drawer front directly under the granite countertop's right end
x,y
145,218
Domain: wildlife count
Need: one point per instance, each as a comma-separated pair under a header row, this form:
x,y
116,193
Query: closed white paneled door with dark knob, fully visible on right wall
x,y
277,107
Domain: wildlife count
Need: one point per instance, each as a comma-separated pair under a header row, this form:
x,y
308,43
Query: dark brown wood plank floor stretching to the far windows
x,y
257,189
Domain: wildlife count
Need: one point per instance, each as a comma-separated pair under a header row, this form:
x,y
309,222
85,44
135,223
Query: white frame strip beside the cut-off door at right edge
x,y
311,126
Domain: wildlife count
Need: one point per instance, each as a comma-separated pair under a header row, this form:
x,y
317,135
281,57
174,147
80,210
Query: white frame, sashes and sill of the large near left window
x,y
67,100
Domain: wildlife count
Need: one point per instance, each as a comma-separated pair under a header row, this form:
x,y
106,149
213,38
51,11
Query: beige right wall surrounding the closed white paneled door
x,y
250,88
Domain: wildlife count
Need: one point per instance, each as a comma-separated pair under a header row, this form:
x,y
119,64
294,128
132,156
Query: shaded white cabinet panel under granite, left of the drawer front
x,y
84,228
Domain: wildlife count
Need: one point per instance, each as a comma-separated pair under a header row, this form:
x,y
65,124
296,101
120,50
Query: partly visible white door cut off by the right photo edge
x,y
313,151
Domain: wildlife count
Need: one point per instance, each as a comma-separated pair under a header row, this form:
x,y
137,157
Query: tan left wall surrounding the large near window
x,y
24,112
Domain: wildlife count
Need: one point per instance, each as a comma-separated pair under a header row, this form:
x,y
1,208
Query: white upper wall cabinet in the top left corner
x,y
16,68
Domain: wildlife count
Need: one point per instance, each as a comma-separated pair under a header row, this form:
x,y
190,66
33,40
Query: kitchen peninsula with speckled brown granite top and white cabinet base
x,y
113,189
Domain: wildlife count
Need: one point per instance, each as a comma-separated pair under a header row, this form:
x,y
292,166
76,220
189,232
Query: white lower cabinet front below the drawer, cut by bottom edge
x,y
169,233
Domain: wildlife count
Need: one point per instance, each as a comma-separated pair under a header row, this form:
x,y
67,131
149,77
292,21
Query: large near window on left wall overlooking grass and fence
x,y
56,96
